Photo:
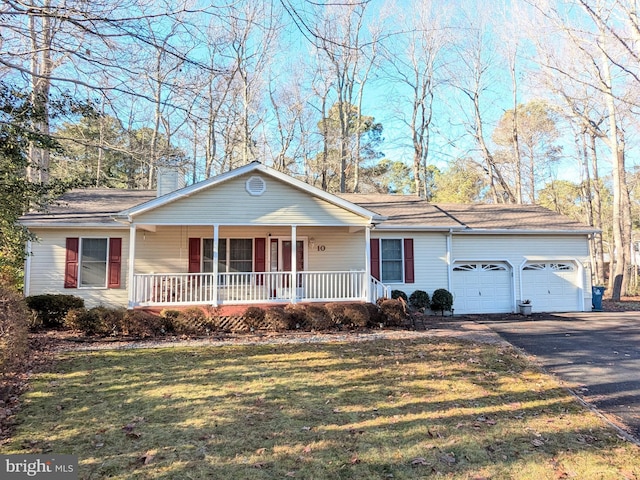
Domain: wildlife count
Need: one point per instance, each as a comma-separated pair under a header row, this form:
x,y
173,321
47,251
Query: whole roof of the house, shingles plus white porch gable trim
x,y
102,207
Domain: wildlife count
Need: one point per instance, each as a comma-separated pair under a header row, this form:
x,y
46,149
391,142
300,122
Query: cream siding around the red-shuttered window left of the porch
x,y
48,266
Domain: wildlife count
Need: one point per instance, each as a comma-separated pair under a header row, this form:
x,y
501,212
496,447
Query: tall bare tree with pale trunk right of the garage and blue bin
x,y
597,51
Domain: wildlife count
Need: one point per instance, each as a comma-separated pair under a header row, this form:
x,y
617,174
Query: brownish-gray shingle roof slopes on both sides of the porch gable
x,y
98,206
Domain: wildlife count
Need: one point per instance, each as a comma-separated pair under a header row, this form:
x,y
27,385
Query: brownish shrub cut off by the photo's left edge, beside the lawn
x,y
14,319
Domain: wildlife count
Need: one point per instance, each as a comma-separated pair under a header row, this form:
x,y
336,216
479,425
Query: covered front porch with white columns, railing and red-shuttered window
x,y
236,265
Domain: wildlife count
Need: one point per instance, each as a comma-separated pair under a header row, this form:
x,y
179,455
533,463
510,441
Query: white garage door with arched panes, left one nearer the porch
x,y
482,287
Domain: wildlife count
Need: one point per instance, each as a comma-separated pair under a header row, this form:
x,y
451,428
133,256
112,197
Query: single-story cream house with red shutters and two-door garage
x,y
255,235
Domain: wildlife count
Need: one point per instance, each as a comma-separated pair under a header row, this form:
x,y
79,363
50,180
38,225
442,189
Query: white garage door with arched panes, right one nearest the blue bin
x,y
551,286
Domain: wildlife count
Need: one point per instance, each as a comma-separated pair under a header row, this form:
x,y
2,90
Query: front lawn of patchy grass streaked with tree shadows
x,y
373,410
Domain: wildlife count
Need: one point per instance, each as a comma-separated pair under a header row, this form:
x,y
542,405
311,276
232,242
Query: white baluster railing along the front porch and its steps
x,y
164,289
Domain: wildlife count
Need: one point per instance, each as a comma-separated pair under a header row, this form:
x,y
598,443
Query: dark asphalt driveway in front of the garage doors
x,y
596,354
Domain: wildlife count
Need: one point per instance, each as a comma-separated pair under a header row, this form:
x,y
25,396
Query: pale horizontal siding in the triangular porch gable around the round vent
x,y
230,203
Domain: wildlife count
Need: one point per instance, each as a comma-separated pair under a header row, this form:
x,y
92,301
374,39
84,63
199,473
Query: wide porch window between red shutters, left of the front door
x,y
234,255
